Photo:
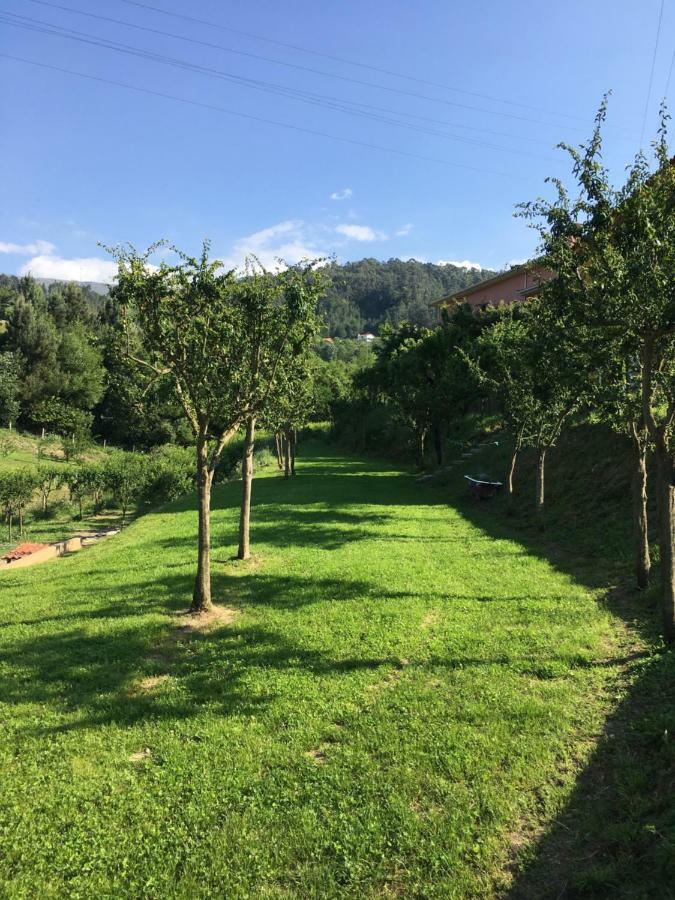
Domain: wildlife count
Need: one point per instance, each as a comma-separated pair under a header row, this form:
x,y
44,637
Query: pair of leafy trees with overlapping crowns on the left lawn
x,y
235,350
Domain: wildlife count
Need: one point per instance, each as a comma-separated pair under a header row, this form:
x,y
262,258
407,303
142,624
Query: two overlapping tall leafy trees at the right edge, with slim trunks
x,y
614,252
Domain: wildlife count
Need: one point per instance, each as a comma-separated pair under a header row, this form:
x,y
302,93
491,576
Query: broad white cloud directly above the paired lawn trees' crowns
x,y
288,241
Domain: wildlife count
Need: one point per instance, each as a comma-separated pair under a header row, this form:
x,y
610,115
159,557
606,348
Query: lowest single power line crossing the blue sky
x,y
214,108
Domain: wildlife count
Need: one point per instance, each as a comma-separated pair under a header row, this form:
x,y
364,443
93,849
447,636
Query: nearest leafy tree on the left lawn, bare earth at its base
x,y
193,332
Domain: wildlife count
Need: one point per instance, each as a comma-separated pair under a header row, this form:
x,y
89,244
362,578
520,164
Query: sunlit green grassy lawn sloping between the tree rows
x,y
403,696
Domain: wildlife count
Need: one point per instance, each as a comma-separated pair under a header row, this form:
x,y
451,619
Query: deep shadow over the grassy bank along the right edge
x,y
615,836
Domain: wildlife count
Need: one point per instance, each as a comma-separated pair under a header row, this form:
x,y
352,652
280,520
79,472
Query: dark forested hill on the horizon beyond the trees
x,y
363,295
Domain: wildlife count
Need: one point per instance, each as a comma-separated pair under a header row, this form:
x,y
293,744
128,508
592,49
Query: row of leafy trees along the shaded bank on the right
x,y
599,339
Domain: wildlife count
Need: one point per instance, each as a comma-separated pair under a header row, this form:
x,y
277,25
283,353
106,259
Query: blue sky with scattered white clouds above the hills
x,y
493,87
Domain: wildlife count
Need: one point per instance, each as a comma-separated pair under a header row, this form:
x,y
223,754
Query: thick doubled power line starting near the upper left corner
x,y
303,96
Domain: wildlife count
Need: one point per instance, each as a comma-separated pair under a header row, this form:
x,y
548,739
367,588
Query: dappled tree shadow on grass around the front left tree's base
x,y
91,673
